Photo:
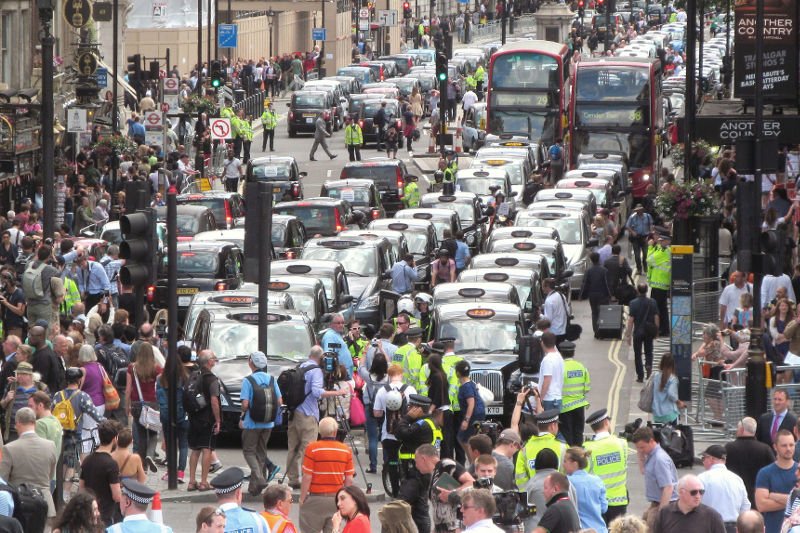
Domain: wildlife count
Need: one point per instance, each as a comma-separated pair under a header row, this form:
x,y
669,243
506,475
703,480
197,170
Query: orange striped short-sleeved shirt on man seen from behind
x,y
328,462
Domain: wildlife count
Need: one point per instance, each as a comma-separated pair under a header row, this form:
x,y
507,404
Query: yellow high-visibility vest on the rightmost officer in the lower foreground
x,y
609,462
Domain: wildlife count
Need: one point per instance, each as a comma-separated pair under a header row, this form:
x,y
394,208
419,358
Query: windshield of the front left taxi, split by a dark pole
x,y
232,339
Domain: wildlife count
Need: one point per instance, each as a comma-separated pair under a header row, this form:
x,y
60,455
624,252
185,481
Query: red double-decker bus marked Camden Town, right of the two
x,y
617,108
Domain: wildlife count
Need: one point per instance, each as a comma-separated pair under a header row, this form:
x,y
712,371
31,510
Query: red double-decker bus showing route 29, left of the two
x,y
529,91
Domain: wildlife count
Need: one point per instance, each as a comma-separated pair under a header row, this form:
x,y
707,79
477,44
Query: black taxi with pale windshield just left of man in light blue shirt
x,y
367,263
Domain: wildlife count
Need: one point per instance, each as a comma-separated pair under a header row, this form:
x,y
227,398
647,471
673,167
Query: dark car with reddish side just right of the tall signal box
x,y
323,216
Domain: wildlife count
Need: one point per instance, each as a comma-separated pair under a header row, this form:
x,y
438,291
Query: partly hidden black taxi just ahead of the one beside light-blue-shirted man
x,y
330,273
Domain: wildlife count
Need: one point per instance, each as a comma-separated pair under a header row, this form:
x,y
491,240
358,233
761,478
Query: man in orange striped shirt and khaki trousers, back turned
x,y
327,467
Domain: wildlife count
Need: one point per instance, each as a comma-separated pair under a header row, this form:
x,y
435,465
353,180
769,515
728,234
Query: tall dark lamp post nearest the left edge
x,y
46,8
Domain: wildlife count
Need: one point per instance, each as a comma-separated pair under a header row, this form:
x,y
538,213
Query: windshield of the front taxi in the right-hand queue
x,y
480,336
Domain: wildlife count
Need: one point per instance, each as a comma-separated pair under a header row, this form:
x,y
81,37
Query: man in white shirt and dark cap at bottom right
x,y
725,491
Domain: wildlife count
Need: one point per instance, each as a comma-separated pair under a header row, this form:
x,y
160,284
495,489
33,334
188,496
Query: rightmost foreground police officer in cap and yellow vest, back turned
x,y
609,461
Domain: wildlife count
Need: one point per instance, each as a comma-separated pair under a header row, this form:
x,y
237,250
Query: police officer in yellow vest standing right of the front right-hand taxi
x,y
573,400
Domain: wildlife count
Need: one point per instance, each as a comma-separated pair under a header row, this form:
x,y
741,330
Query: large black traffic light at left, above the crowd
x,y
139,248
